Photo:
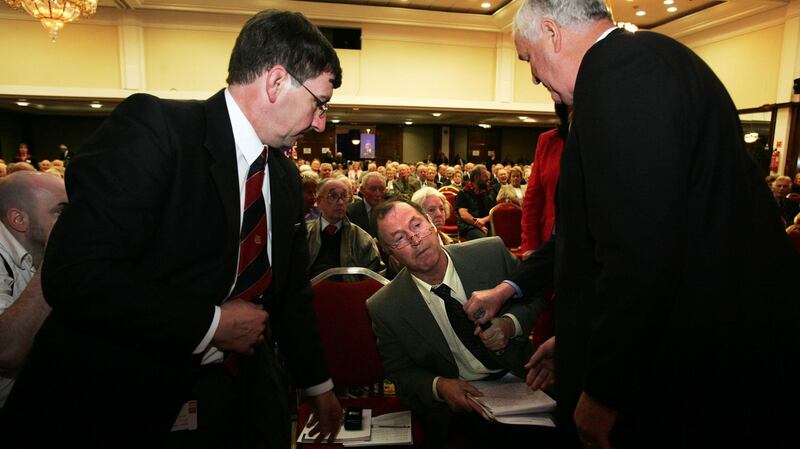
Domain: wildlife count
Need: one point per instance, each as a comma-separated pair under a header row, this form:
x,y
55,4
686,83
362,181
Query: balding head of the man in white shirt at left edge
x,y
30,204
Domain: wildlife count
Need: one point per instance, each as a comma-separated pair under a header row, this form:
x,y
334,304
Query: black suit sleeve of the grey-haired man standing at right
x,y
635,205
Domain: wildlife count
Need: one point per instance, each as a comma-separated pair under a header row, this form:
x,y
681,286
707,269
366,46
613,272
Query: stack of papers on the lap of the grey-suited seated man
x,y
511,401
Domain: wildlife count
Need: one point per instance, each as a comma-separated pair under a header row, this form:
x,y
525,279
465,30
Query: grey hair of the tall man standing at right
x,y
564,12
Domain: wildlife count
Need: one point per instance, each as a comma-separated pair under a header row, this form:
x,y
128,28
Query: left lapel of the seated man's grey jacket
x,y
418,316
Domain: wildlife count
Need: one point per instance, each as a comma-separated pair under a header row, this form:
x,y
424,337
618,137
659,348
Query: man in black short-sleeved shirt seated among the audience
x,y
473,204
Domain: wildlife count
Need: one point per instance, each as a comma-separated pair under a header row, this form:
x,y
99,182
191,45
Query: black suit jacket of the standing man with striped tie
x,y
134,267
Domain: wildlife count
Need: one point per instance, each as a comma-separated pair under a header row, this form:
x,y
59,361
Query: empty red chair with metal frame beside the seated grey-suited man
x,y
349,344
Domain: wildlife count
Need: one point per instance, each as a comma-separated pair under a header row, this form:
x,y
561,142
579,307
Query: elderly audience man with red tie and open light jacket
x,y
333,241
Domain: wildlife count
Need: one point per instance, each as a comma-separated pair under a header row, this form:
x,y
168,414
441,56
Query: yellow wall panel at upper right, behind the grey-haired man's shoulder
x,y
747,65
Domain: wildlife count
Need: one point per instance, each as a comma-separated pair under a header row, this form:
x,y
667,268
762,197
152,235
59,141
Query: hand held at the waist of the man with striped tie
x,y
241,326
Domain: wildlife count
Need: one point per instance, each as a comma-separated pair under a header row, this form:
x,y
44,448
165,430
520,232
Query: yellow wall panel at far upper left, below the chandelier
x,y
84,55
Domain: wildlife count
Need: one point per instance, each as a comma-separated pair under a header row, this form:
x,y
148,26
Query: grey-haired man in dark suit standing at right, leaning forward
x,y
655,323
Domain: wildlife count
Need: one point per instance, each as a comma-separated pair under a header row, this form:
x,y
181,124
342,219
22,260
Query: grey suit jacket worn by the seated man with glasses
x,y
411,344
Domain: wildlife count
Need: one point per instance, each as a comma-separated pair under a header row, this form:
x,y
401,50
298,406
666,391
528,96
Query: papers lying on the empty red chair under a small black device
x,y
389,429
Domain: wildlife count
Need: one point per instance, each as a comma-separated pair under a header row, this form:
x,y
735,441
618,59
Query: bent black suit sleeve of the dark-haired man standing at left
x,y
117,187
